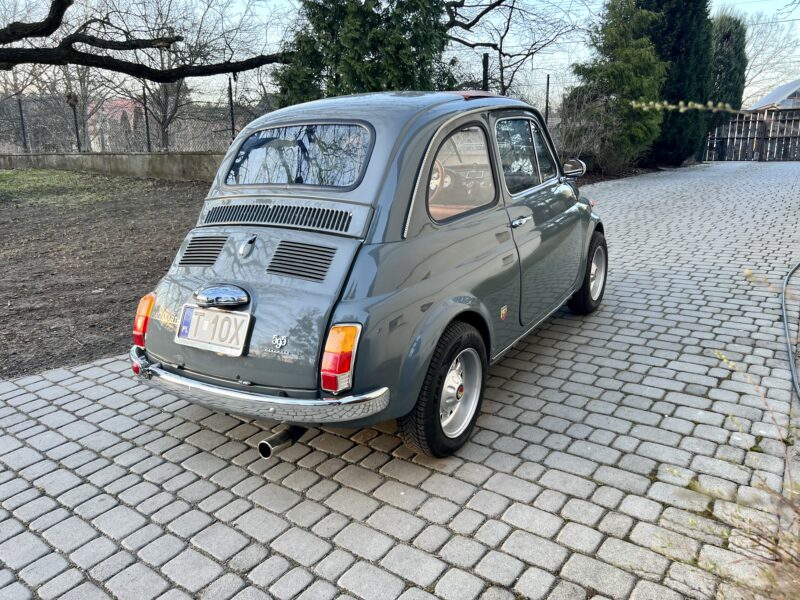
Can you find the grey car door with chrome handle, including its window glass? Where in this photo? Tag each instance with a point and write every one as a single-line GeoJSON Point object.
{"type": "Point", "coordinates": [544, 213]}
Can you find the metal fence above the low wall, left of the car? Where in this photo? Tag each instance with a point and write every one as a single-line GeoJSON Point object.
{"type": "Point", "coordinates": [43, 123]}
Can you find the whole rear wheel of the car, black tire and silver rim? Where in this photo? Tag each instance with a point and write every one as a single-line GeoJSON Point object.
{"type": "Point", "coordinates": [449, 402]}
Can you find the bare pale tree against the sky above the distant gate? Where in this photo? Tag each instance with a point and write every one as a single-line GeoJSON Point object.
{"type": "Point", "coordinates": [771, 42]}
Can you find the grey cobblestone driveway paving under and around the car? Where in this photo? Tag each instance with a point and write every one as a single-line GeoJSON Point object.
{"type": "Point", "coordinates": [615, 456]}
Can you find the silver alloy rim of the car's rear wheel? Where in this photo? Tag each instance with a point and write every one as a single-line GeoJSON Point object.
{"type": "Point", "coordinates": [460, 393]}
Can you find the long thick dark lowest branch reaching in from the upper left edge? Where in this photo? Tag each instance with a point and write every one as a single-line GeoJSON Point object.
{"type": "Point", "coordinates": [70, 56]}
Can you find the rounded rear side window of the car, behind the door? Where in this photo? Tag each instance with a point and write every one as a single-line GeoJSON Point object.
{"type": "Point", "coordinates": [461, 176]}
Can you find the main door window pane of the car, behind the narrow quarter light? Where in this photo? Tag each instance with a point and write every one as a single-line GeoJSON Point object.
{"type": "Point", "coordinates": [517, 154]}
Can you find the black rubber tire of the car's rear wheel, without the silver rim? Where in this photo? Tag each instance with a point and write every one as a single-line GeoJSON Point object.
{"type": "Point", "coordinates": [421, 429]}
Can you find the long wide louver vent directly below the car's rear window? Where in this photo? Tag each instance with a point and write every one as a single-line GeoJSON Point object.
{"type": "Point", "coordinates": [305, 217]}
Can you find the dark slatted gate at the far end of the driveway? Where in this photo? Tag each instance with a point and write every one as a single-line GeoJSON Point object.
{"type": "Point", "coordinates": [763, 135]}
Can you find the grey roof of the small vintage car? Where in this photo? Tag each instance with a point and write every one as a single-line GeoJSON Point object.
{"type": "Point", "coordinates": [385, 110]}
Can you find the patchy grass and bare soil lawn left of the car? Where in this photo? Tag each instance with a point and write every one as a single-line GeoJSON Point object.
{"type": "Point", "coordinates": [77, 251]}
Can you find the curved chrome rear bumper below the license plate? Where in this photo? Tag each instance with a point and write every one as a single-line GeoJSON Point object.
{"type": "Point", "coordinates": [276, 408]}
